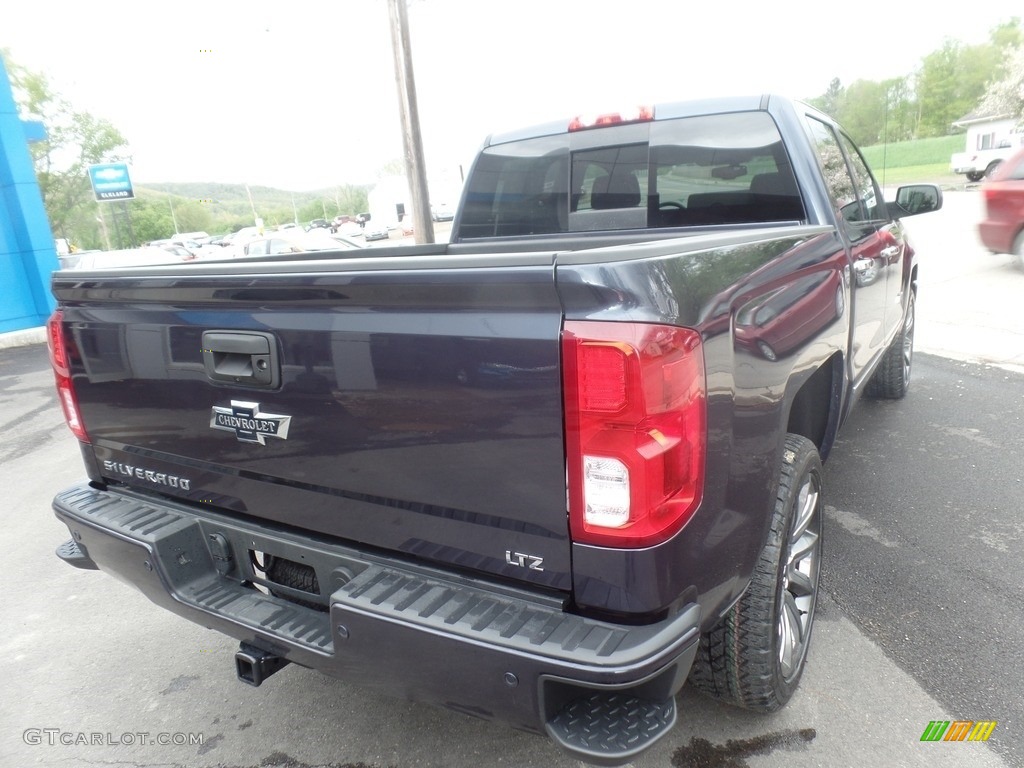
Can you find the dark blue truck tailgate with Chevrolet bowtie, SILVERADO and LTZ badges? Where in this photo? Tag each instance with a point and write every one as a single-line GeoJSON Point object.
{"type": "Point", "coordinates": [394, 404]}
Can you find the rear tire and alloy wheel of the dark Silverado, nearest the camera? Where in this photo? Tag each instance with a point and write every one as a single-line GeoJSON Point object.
{"type": "Point", "coordinates": [754, 658]}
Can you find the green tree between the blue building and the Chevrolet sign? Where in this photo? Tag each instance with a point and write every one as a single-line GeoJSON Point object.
{"type": "Point", "coordinates": [75, 141]}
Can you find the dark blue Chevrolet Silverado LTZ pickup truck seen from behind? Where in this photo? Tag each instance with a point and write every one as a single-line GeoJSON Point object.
{"type": "Point", "coordinates": [542, 475]}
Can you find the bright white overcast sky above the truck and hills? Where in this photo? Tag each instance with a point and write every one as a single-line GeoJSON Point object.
{"type": "Point", "coordinates": [302, 95]}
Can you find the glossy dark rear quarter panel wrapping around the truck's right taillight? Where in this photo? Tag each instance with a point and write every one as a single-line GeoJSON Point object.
{"type": "Point", "coordinates": [772, 311]}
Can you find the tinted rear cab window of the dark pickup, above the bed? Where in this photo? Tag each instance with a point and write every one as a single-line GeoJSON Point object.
{"type": "Point", "coordinates": [699, 172]}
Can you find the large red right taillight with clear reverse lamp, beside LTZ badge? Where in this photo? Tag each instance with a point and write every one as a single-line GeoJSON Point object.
{"type": "Point", "coordinates": [635, 431]}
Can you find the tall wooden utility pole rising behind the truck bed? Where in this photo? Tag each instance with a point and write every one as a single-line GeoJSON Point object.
{"type": "Point", "coordinates": [423, 226]}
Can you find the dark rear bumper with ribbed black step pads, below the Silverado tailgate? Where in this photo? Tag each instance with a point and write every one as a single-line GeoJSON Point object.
{"type": "Point", "coordinates": [481, 649]}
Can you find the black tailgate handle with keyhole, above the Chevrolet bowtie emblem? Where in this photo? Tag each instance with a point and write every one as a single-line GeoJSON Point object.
{"type": "Point", "coordinates": [247, 358]}
